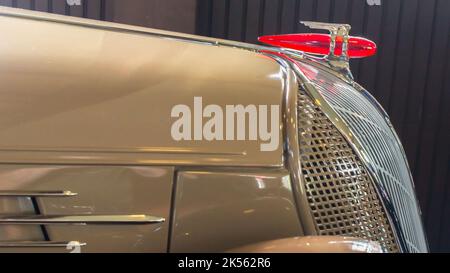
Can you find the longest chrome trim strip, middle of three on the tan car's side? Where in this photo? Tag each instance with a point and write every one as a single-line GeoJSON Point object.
{"type": "Point", "coordinates": [81, 219]}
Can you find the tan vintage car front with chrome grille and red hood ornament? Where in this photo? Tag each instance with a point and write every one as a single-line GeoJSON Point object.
{"type": "Point", "coordinates": [117, 138]}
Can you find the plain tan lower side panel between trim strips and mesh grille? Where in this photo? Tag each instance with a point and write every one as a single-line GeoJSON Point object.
{"type": "Point", "coordinates": [218, 210]}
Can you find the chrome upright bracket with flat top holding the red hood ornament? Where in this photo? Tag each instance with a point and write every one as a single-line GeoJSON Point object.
{"type": "Point", "coordinates": [337, 31]}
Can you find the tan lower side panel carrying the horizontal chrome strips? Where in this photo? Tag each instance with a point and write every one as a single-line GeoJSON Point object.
{"type": "Point", "coordinates": [101, 190]}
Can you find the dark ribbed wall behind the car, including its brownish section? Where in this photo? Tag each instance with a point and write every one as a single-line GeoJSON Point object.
{"type": "Point", "coordinates": [410, 75]}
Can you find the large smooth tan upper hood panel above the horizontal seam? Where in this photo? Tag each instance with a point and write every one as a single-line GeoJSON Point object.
{"type": "Point", "coordinates": [81, 93]}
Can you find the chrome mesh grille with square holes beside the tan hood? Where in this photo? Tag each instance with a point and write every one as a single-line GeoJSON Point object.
{"type": "Point", "coordinates": [341, 195]}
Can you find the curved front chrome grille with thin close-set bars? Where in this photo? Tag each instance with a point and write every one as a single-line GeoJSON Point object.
{"type": "Point", "coordinates": [381, 146]}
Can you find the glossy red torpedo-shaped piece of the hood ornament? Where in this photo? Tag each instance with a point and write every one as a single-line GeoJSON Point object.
{"type": "Point", "coordinates": [317, 43]}
